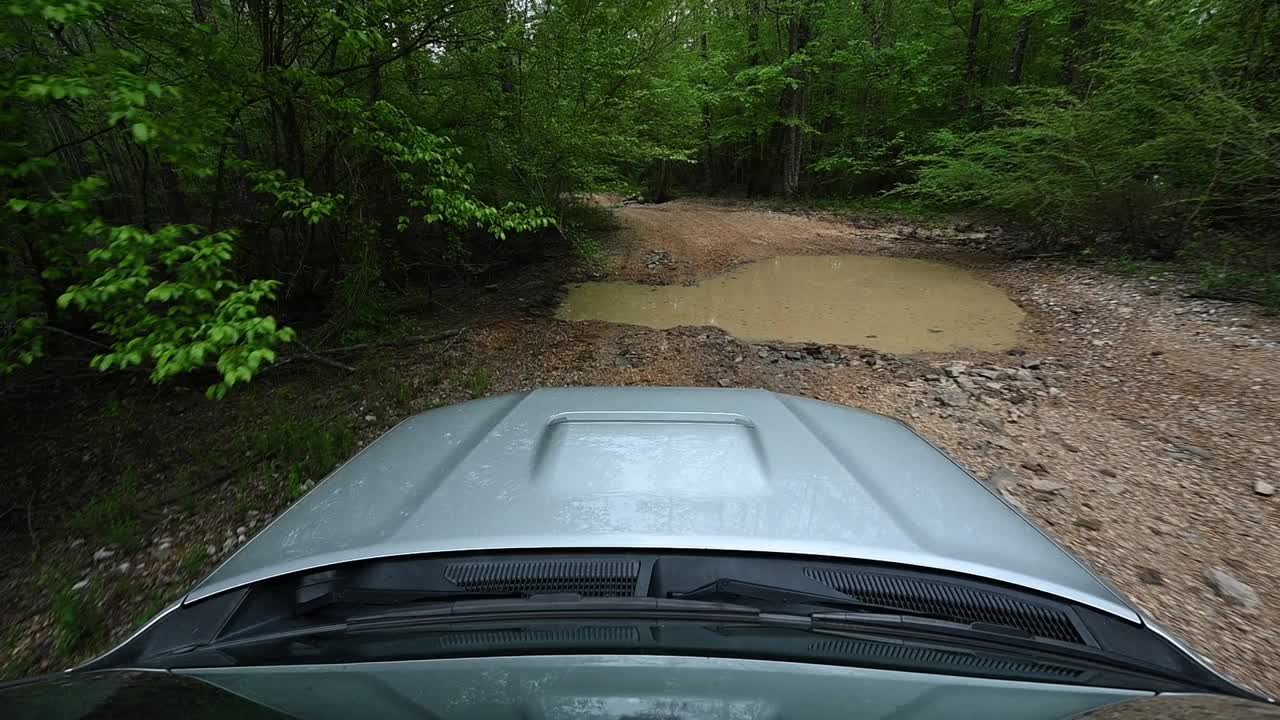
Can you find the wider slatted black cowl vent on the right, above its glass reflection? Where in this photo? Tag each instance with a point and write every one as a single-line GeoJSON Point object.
{"type": "Point", "coordinates": [950, 603]}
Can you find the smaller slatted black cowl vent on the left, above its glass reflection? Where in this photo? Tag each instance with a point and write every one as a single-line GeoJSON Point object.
{"type": "Point", "coordinates": [589, 578]}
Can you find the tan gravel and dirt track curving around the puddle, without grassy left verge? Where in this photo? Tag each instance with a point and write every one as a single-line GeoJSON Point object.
{"type": "Point", "coordinates": [1139, 429]}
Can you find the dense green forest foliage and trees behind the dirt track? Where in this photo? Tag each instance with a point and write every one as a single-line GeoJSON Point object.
{"type": "Point", "coordinates": [179, 174]}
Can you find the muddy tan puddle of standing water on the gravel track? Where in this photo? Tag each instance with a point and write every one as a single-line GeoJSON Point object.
{"type": "Point", "coordinates": [890, 304]}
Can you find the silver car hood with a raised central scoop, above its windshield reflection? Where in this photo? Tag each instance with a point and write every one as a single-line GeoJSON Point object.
{"type": "Point", "coordinates": [661, 470]}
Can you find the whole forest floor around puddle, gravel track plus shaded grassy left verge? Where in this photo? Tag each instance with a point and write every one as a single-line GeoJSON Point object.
{"type": "Point", "coordinates": [1135, 426]}
